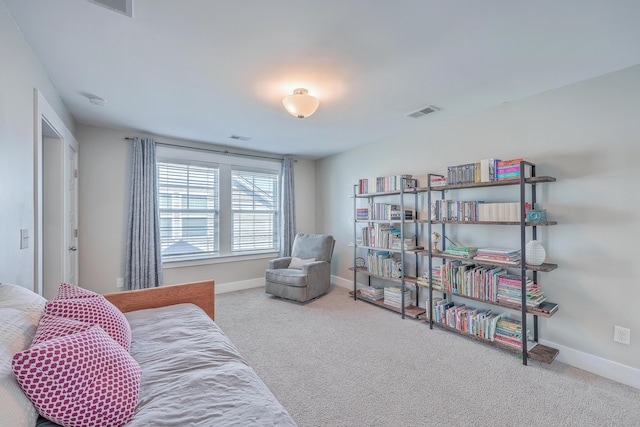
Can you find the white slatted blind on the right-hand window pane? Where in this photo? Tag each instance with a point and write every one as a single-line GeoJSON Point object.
{"type": "Point", "coordinates": [254, 200]}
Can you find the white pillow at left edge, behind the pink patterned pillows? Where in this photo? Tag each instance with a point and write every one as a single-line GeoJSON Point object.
{"type": "Point", "coordinates": [20, 312]}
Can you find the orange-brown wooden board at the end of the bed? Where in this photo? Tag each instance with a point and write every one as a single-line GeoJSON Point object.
{"type": "Point", "coordinates": [201, 294]}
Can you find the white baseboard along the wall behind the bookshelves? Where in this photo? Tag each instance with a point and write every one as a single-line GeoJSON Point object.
{"type": "Point", "coordinates": [581, 360]}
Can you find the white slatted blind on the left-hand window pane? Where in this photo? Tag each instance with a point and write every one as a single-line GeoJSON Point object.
{"type": "Point", "coordinates": [188, 209]}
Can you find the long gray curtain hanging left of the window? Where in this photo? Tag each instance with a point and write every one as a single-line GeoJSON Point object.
{"type": "Point", "coordinates": [143, 263]}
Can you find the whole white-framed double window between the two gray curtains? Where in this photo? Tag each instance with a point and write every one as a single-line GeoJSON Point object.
{"type": "Point", "coordinates": [210, 208]}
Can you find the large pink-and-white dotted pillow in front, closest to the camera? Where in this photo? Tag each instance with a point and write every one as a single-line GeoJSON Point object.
{"type": "Point", "coordinates": [82, 379]}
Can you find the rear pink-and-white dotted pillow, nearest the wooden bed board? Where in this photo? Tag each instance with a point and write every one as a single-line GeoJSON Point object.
{"type": "Point", "coordinates": [94, 310]}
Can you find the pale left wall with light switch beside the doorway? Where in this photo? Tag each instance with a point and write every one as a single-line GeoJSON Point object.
{"type": "Point", "coordinates": [20, 73]}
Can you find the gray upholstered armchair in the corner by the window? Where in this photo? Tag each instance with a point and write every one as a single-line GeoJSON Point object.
{"type": "Point", "coordinates": [300, 281]}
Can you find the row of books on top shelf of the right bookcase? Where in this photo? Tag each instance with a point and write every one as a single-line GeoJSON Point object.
{"type": "Point", "coordinates": [485, 170]}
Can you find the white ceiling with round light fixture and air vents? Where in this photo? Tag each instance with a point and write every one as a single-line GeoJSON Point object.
{"type": "Point", "coordinates": [203, 70]}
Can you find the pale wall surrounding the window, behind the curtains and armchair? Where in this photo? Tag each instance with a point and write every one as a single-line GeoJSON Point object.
{"type": "Point", "coordinates": [104, 172]}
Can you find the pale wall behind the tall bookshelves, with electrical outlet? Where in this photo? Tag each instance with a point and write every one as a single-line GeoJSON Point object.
{"type": "Point", "coordinates": [587, 135]}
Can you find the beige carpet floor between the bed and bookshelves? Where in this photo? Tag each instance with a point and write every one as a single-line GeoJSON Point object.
{"type": "Point", "coordinates": [340, 362]}
